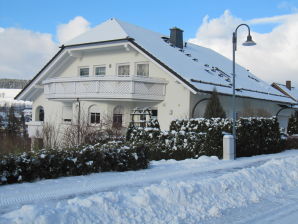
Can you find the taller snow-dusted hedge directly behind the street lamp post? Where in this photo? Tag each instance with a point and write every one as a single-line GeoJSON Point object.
{"type": "Point", "coordinates": [196, 137]}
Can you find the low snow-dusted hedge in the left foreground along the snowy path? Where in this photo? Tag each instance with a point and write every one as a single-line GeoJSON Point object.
{"type": "Point", "coordinates": [47, 164]}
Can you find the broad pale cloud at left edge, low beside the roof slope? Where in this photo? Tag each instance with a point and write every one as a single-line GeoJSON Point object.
{"type": "Point", "coordinates": [24, 52]}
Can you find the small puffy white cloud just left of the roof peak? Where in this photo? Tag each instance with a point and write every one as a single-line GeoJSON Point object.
{"type": "Point", "coordinates": [73, 28]}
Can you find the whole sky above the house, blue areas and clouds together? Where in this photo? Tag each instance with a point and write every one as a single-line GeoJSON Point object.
{"type": "Point", "coordinates": [31, 31]}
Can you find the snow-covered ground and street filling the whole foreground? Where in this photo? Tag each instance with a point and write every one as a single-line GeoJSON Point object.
{"type": "Point", "coordinates": [260, 189]}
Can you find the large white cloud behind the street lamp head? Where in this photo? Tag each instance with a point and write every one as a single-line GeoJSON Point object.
{"type": "Point", "coordinates": [273, 59]}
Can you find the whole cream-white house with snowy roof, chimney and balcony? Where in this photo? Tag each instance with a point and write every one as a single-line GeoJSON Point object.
{"type": "Point", "coordinates": [116, 67]}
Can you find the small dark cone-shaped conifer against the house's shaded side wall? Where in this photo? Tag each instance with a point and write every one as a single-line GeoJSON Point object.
{"type": "Point", "coordinates": [214, 108]}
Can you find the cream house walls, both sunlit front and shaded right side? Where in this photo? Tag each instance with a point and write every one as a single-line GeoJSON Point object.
{"type": "Point", "coordinates": [178, 102]}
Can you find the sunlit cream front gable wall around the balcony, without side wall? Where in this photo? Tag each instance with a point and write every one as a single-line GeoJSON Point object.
{"type": "Point", "coordinates": [175, 103]}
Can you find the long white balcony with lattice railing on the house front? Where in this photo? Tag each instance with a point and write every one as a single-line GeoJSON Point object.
{"type": "Point", "coordinates": [107, 87]}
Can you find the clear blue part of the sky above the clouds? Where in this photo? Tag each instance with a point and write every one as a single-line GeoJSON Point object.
{"type": "Point", "coordinates": [44, 16]}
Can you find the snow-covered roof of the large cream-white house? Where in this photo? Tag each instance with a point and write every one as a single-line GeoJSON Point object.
{"type": "Point", "coordinates": [201, 67]}
